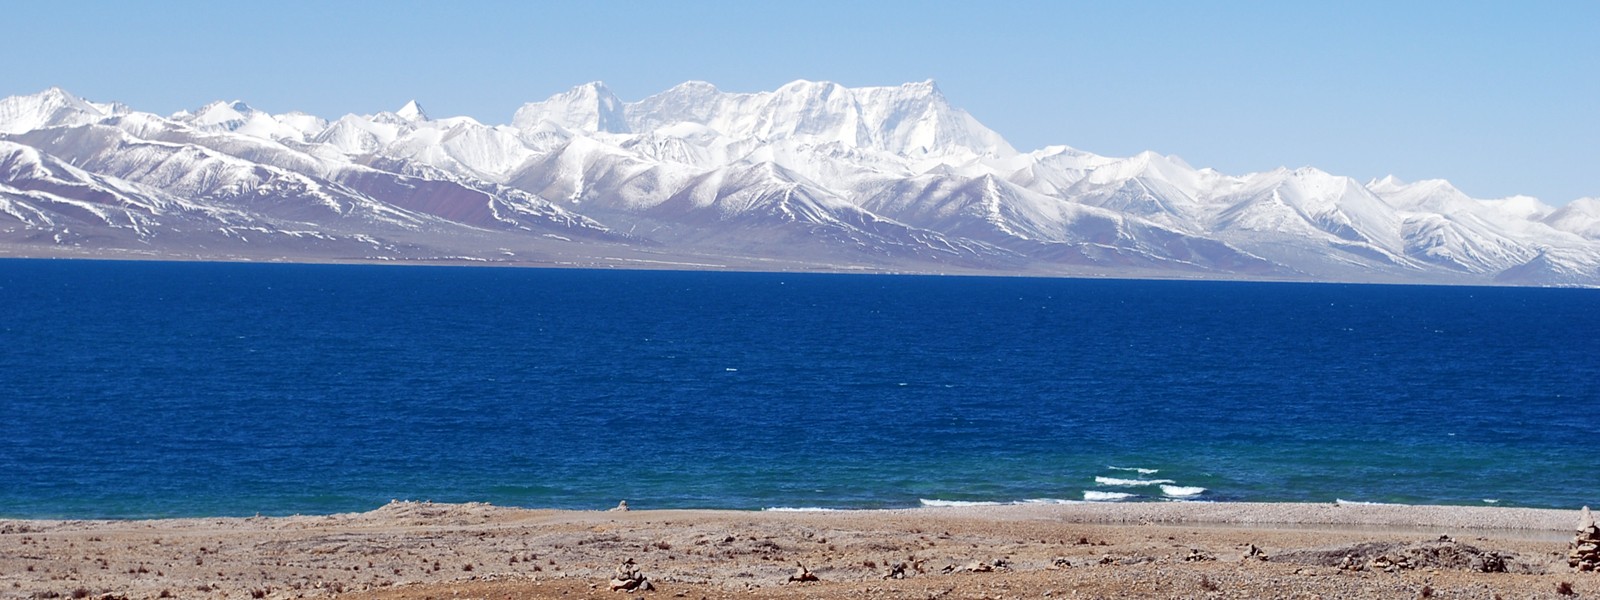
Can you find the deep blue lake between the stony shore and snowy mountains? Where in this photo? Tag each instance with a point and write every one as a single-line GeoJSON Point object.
{"type": "Point", "coordinates": [145, 390]}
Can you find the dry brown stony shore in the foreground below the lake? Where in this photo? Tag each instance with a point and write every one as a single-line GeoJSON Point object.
{"type": "Point", "coordinates": [1090, 551]}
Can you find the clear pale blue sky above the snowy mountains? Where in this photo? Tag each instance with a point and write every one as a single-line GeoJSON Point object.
{"type": "Point", "coordinates": [1502, 98]}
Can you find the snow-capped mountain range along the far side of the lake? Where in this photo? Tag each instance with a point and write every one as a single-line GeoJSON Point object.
{"type": "Point", "coordinates": [810, 177]}
